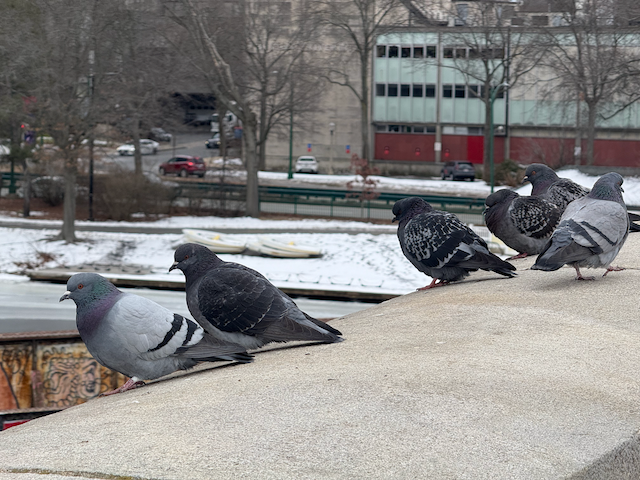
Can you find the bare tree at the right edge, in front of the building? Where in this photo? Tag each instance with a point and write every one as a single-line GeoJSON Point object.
{"type": "Point", "coordinates": [594, 59]}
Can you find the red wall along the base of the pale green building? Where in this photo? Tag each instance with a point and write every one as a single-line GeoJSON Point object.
{"type": "Point", "coordinates": [552, 151]}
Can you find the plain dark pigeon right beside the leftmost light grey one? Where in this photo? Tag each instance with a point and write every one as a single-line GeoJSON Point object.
{"type": "Point", "coordinates": [237, 304]}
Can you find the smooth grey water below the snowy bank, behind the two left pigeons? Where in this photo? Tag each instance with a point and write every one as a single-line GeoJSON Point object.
{"type": "Point", "coordinates": [35, 306]}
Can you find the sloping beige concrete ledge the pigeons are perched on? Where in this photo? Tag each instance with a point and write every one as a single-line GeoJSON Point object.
{"type": "Point", "coordinates": [491, 378]}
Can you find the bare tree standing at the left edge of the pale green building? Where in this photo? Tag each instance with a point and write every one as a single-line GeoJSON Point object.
{"type": "Point", "coordinates": [359, 22]}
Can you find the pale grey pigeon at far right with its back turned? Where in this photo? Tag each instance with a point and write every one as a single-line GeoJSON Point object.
{"type": "Point", "coordinates": [591, 232]}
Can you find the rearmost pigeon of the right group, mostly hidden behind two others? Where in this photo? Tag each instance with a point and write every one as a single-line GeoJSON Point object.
{"type": "Point", "coordinates": [561, 191]}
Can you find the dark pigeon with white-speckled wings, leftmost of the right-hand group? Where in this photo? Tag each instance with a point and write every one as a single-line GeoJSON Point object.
{"type": "Point", "coordinates": [440, 245]}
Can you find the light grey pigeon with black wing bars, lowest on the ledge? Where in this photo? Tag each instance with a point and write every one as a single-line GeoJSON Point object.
{"type": "Point", "coordinates": [136, 336]}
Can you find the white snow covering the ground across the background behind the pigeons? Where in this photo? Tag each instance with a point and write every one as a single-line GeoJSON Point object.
{"type": "Point", "coordinates": [358, 262]}
